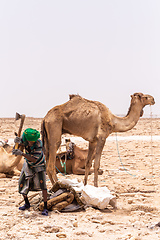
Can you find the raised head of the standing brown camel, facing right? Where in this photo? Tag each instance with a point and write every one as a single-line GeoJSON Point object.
{"type": "Point", "coordinates": [141, 100]}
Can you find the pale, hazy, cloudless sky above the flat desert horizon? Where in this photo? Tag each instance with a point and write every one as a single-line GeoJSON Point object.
{"type": "Point", "coordinates": [104, 50]}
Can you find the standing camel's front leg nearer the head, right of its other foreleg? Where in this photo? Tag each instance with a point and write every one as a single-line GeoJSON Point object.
{"type": "Point", "coordinates": [99, 148]}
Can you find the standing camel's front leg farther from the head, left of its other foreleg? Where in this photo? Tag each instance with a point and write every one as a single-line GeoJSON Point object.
{"type": "Point", "coordinates": [89, 159]}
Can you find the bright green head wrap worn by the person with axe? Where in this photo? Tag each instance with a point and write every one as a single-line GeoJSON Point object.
{"type": "Point", "coordinates": [30, 135]}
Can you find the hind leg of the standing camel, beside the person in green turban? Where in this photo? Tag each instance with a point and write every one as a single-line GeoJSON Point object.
{"type": "Point", "coordinates": [54, 131]}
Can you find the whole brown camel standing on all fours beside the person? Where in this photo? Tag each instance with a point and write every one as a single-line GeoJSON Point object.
{"type": "Point", "coordinates": [90, 120]}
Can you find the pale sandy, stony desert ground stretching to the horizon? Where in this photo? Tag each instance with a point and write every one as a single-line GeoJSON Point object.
{"type": "Point", "coordinates": [131, 173]}
